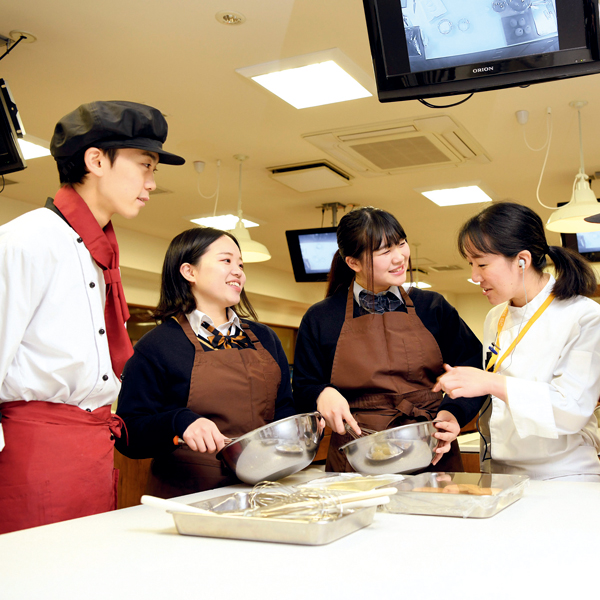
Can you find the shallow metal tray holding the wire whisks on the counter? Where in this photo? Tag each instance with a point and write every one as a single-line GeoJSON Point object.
{"type": "Point", "coordinates": [257, 529]}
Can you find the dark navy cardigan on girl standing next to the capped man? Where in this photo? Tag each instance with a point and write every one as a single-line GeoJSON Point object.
{"type": "Point", "coordinates": [156, 385]}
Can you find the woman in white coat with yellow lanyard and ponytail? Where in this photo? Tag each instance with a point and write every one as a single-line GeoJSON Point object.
{"type": "Point", "coordinates": [541, 347]}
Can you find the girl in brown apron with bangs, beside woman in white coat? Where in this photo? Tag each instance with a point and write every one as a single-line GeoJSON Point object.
{"type": "Point", "coordinates": [373, 363]}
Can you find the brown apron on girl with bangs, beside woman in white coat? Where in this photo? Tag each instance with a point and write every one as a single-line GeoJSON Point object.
{"type": "Point", "coordinates": [385, 366]}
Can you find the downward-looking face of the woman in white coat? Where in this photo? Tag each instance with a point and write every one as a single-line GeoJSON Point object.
{"type": "Point", "coordinates": [500, 278]}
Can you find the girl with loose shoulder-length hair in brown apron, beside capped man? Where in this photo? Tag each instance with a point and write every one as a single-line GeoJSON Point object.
{"type": "Point", "coordinates": [191, 379]}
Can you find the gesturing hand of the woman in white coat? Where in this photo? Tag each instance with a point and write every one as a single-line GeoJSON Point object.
{"type": "Point", "coordinates": [469, 382]}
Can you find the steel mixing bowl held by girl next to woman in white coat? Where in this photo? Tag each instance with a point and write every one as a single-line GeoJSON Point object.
{"type": "Point", "coordinates": [402, 449]}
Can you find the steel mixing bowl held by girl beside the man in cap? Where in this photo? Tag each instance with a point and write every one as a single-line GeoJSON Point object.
{"type": "Point", "coordinates": [275, 450]}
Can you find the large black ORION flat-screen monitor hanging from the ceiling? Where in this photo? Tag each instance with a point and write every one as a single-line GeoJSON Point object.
{"type": "Point", "coordinates": [431, 48]}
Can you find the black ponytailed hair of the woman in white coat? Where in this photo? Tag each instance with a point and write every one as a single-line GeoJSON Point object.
{"type": "Point", "coordinates": [507, 228]}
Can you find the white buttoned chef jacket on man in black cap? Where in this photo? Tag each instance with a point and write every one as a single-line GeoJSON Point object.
{"type": "Point", "coordinates": [53, 344]}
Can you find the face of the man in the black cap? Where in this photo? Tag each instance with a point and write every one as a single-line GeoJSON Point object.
{"type": "Point", "coordinates": [124, 186]}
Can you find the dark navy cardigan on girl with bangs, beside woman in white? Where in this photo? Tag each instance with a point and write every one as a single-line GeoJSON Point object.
{"type": "Point", "coordinates": [320, 330]}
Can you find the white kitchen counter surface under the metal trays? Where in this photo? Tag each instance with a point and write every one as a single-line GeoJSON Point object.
{"type": "Point", "coordinates": [544, 545]}
